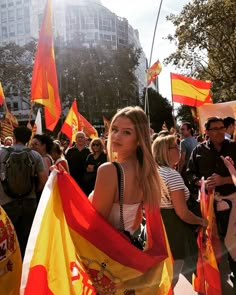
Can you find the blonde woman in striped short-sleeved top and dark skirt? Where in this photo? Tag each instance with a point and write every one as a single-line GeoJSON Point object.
{"type": "Point", "coordinates": [175, 213]}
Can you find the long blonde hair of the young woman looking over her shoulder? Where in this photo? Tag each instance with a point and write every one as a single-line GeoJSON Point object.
{"type": "Point", "coordinates": [147, 175]}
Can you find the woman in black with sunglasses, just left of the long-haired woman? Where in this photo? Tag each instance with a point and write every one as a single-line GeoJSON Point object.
{"type": "Point", "coordinates": [93, 161]}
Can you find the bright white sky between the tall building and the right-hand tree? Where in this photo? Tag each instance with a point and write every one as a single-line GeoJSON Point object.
{"type": "Point", "coordinates": [142, 15]}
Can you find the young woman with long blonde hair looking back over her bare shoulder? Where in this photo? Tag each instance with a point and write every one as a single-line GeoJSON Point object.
{"type": "Point", "coordinates": [129, 139]}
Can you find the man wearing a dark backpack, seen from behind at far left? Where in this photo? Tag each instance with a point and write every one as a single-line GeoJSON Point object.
{"type": "Point", "coordinates": [20, 206]}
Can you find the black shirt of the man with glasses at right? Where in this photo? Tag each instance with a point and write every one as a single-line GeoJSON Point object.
{"type": "Point", "coordinates": [205, 160]}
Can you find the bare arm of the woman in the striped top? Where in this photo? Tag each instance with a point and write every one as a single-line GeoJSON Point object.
{"type": "Point", "coordinates": [181, 209]}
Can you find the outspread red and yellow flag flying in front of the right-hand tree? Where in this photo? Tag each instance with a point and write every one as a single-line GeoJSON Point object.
{"type": "Point", "coordinates": [190, 91]}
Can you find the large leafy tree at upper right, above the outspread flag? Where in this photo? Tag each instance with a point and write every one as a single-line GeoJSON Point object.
{"type": "Point", "coordinates": [205, 36]}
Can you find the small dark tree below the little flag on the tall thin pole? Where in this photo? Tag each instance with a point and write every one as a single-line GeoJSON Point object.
{"type": "Point", "coordinates": [160, 110]}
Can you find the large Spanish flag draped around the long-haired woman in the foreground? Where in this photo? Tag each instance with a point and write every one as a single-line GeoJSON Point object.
{"type": "Point", "coordinates": [73, 250]}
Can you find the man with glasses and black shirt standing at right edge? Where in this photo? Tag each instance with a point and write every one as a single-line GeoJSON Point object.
{"type": "Point", "coordinates": [206, 162]}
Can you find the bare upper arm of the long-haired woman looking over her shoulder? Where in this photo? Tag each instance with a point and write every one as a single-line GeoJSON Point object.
{"type": "Point", "coordinates": [105, 190]}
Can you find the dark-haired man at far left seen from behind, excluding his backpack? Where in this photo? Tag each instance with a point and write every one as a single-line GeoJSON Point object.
{"type": "Point", "coordinates": [21, 210]}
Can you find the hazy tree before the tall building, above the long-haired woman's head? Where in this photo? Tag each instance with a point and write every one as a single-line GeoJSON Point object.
{"type": "Point", "coordinates": [101, 79]}
